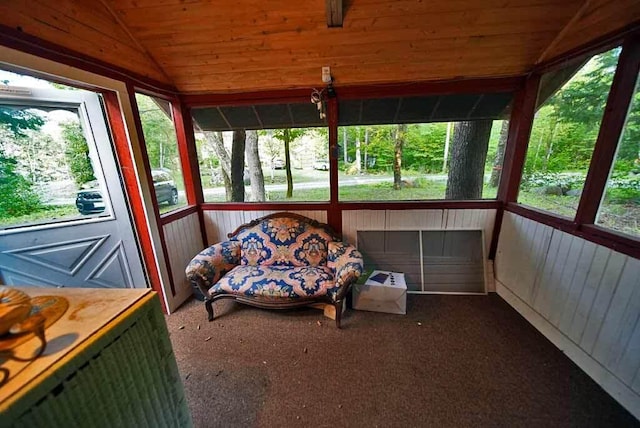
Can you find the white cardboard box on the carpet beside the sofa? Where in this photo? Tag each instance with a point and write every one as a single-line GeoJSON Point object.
{"type": "Point", "coordinates": [382, 292]}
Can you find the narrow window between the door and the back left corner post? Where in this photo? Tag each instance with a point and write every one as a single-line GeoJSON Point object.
{"type": "Point", "coordinates": [162, 149]}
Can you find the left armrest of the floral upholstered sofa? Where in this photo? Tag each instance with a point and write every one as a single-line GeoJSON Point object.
{"type": "Point", "coordinates": [206, 268]}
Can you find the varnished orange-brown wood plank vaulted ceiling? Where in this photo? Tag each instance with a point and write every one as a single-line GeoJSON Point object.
{"type": "Point", "coordinates": [214, 46]}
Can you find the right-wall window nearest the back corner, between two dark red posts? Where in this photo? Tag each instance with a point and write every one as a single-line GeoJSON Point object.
{"type": "Point", "coordinates": [571, 104]}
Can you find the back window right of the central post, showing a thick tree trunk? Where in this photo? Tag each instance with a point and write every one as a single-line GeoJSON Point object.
{"type": "Point", "coordinates": [422, 148]}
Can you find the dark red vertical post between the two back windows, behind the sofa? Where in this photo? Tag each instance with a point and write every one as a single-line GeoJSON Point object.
{"type": "Point", "coordinates": [334, 215]}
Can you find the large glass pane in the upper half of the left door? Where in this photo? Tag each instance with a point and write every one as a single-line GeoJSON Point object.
{"type": "Point", "coordinates": [49, 167]}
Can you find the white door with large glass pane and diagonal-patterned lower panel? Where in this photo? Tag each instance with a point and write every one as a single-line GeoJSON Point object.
{"type": "Point", "coordinates": [84, 237]}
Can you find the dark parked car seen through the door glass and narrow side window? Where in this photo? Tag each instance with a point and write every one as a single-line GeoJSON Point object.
{"type": "Point", "coordinates": [90, 201]}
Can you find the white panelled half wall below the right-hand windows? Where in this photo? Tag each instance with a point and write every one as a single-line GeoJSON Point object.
{"type": "Point", "coordinates": [583, 297]}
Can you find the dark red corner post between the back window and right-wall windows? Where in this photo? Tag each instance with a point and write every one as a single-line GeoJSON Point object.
{"type": "Point", "coordinates": [518, 141]}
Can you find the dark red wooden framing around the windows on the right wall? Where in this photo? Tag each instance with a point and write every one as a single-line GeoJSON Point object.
{"type": "Point", "coordinates": [611, 128]}
